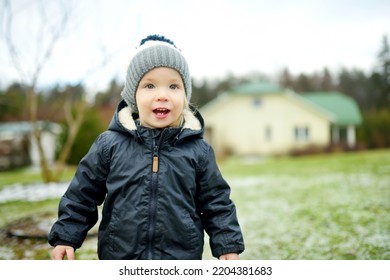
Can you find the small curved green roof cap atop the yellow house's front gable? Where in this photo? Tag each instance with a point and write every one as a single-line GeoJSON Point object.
{"type": "Point", "coordinates": [257, 87]}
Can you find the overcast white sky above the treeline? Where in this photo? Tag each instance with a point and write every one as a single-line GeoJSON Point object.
{"type": "Point", "coordinates": [215, 36]}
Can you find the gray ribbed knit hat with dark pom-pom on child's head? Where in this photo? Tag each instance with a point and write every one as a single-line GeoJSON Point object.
{"type": "Point", "coordinates": [154, 51]}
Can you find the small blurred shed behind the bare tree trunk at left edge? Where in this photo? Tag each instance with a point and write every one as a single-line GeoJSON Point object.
{"type": "Point", "coordinates": [18, 147]}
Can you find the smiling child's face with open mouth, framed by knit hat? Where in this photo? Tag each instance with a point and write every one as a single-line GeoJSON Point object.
{"type": "Point", "coordinates": [160, 98]}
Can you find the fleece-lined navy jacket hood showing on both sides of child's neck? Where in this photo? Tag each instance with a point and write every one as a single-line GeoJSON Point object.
{"type": "Point", "coordinates": [124, 121]}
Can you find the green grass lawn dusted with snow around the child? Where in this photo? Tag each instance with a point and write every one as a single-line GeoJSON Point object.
{"type": "Point", "coordinates": [334, 206]}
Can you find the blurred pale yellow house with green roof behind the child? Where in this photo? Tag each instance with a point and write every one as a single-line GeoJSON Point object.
{"type": "Point", "coordinates": [261, 118]}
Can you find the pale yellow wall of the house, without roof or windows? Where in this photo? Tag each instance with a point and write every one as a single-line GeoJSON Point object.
{"type": "Point", "coordinates": [238, 125]}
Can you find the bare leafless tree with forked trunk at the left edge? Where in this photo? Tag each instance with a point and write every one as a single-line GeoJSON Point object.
{"type": "Point", "coordinates": [53, 32]}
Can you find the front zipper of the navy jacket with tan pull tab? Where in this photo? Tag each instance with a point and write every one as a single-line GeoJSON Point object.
{"type": "Point", "coordinates": [153, 202]}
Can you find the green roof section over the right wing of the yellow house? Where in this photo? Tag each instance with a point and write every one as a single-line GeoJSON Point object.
{"type": "Point", "coordinates": [343, 107]}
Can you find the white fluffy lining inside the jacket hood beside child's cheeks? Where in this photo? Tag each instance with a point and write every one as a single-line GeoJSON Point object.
{"type": "Point", "coordinates": [126, 119]}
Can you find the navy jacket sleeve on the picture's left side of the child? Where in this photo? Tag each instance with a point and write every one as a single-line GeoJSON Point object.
{"type": "Point", "coordinates": [77, 212]}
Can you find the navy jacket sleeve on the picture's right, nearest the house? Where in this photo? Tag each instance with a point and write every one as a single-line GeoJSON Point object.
{"type": "Point", "coordinates": [218, 211]}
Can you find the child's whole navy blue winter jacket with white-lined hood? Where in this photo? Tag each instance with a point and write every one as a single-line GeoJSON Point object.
{"type": "Point", "coordinates": [160, 191]}
